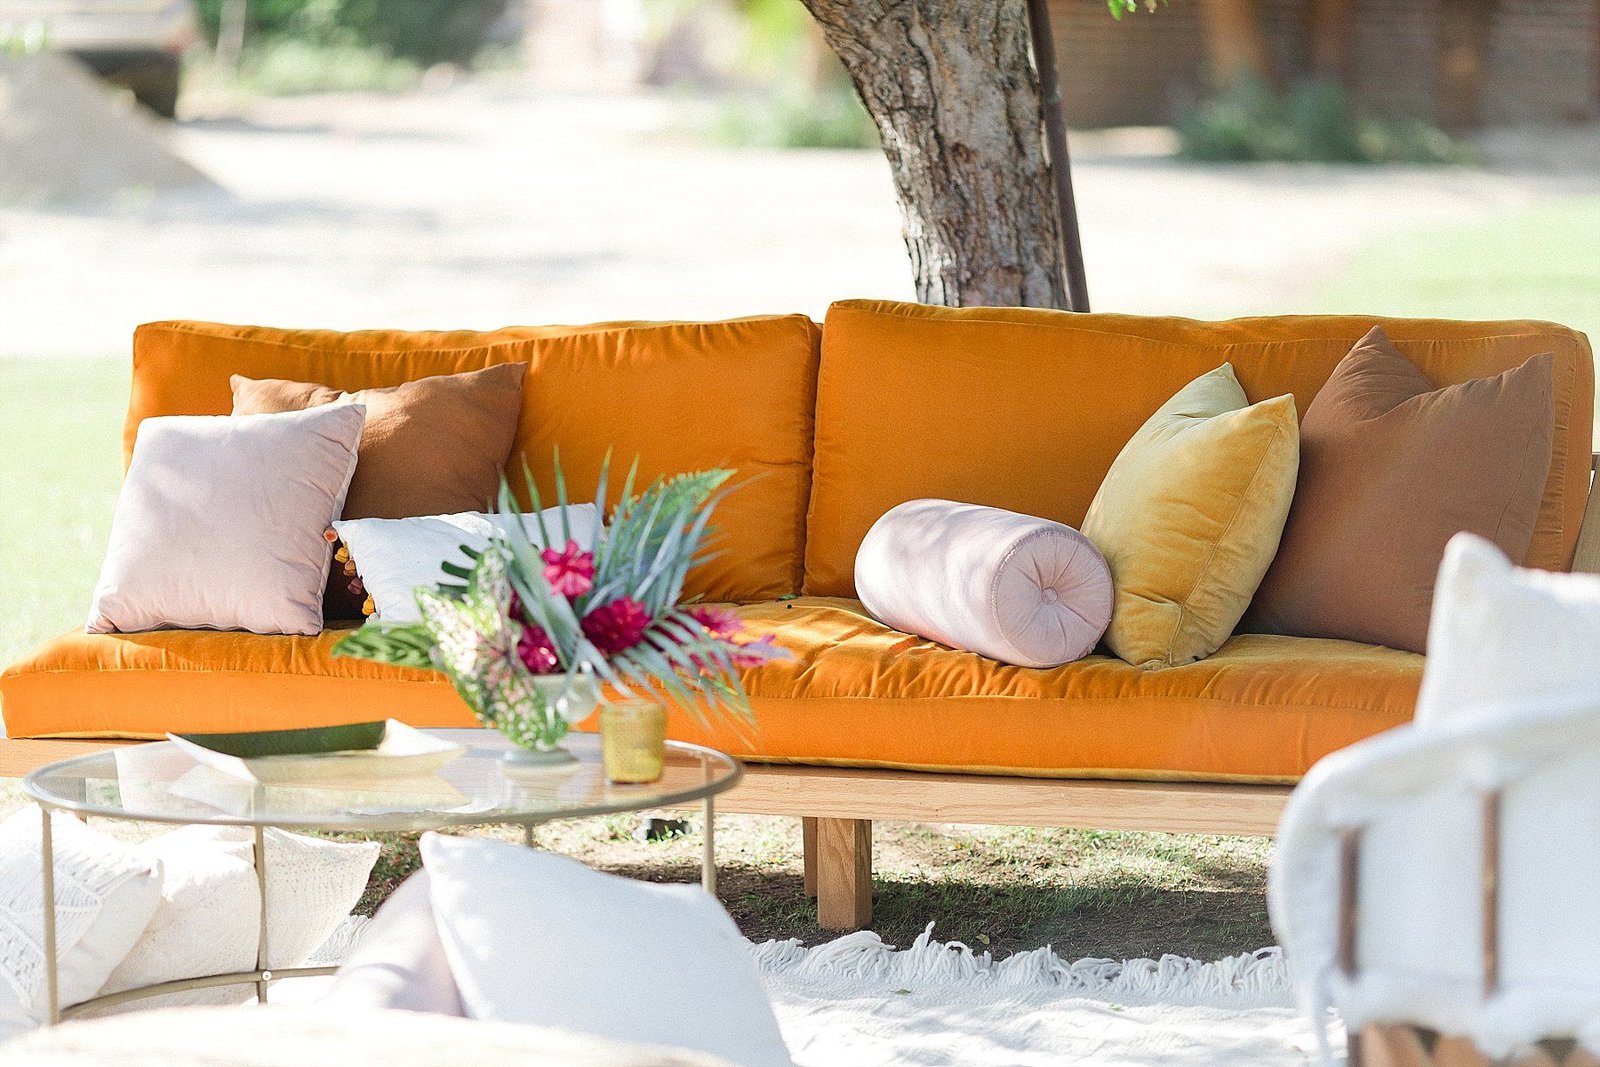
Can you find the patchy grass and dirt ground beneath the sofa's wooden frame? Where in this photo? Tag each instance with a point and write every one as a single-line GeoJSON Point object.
{"type": "Point", "coordinates": [996, 889]}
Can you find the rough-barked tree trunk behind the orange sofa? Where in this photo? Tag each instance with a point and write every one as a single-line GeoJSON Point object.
{"type": "Point", "coordinates": [958, 105]}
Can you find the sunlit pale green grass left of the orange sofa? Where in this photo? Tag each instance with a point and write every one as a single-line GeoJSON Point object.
{"type": "Point", "coordinates": [60, 466]}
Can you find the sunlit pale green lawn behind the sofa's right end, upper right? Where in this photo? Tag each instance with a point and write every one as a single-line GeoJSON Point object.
{"type": "Point", "coordinates": [1543, 263]}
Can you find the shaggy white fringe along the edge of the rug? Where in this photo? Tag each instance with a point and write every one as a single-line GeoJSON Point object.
{"type": "Point", "coordinates": [1252, 977]}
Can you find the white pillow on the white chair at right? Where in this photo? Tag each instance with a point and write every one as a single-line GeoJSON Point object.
{"type": "Point", "coordinates": [1505, 641]}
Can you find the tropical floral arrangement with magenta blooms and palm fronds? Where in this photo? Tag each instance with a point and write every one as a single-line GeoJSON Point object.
{"type": "Point", "coordinates": [537, 628]}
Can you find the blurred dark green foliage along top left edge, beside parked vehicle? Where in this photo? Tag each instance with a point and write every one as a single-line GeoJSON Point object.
{"type": "Point", "coordinates": [418, 31]}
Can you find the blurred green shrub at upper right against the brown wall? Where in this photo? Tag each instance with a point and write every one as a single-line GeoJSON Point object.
{"type": "Point", "coordinates": [1311, 122]}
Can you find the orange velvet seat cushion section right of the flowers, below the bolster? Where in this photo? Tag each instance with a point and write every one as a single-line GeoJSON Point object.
{"type": "Point", "coordinates": [863, 695]}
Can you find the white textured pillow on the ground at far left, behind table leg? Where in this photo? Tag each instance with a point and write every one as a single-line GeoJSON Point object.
{"type": "Point", "coordinates": [106, 893]}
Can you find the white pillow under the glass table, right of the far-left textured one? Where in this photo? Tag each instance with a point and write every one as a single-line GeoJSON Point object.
{"type": "Point", "coordinates": [210, 909]}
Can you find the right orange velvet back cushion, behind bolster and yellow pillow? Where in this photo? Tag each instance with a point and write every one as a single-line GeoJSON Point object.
{"type": "Point", "coordinates": [1026, 409]}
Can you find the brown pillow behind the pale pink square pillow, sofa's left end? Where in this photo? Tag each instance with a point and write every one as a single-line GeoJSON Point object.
{"type": "Point", "coordinates": [431, 447]}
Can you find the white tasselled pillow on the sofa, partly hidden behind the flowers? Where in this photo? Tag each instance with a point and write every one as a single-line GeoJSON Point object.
{"type": "Point", "coordinates": [396, 556]}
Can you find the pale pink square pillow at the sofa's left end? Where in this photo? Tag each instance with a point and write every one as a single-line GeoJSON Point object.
{"type": "Point", "coordinates": [222, 519]}
